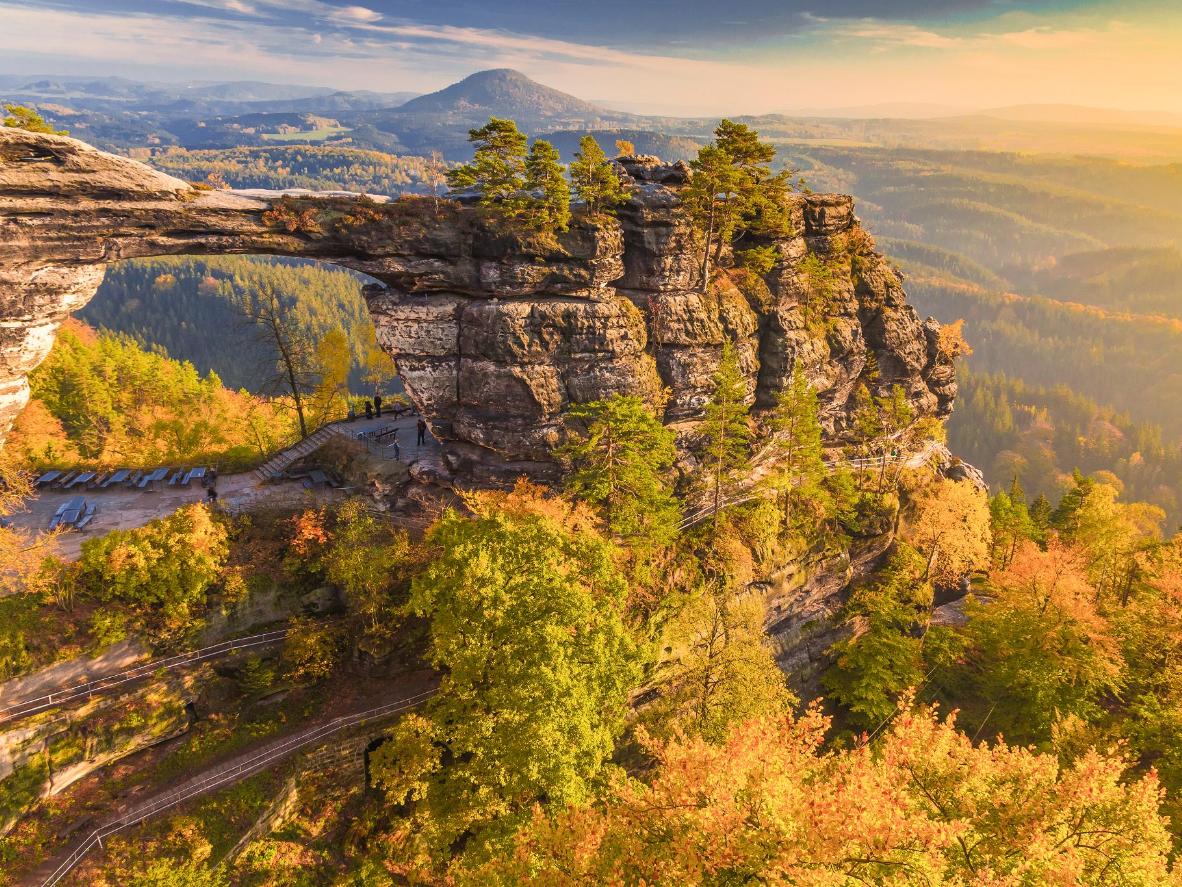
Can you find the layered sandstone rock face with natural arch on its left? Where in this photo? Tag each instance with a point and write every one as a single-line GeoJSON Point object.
{"type": "Point", "coordinates": [495, 333]}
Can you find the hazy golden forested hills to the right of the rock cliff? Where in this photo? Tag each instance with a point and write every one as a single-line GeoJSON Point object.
{"type": "Point", "coordinates": [1067, 273]}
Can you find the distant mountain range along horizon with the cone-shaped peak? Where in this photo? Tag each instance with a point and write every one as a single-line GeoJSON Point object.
{"type": "Point", "coordinates": [119, 114]}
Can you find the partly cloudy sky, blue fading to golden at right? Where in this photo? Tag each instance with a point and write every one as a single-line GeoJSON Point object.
{"type": "Point", "coordinates": [686, 57]}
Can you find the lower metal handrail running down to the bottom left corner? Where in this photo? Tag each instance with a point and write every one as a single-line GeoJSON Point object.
{"type": "Point", "coordinates": [220, 778]}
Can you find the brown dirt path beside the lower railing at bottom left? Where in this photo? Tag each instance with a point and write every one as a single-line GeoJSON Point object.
{"type": "Point", "coordinates": [410, 692]}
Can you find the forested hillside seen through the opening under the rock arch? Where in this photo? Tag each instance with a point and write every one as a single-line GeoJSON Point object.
{"type": "Point", "coordinates": [187, 307]}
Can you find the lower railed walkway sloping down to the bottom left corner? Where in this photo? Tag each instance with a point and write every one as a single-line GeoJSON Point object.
{"type": "Point", "coordinates": [218, 778]}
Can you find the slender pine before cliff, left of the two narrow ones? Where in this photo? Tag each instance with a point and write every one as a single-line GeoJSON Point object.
{"type": "Point", "coordinates": [726, 428]}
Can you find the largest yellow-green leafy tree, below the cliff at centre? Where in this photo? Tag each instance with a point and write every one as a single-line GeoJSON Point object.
{"type": "Point", "coordinates": [524, 608]}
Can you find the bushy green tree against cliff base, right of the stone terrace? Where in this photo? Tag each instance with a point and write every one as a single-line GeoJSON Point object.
{"type": "Point", "coordinates": [621, 461]}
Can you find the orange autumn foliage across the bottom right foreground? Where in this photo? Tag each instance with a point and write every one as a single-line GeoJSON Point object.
{"type": "Point", "coordinates": [926, 806]}
